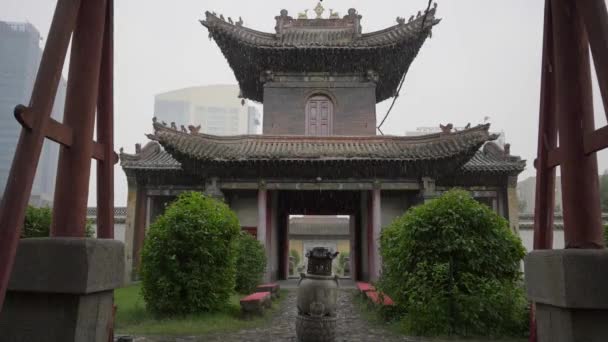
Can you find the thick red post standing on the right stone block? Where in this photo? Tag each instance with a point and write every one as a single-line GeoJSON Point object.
{"type": "Point", "coordinates": [574, 109]}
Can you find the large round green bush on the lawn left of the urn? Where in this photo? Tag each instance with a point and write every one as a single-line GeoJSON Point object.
{"type": "Point", "coordinates": [188, 257]}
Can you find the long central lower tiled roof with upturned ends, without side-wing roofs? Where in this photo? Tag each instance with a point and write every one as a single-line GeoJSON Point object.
{"type": "Point", "coordinates": [260, 148]}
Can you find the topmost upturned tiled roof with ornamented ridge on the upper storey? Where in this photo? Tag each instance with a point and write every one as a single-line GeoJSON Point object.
{"type": "Point", "coordinates": [334, 45]}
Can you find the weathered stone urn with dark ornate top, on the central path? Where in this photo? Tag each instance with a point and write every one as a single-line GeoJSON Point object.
{"type": "Point", "coordinates": [317, 298]}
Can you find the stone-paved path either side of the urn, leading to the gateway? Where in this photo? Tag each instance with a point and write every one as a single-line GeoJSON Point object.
{"type": "Point", "coordinates": [351, 326]}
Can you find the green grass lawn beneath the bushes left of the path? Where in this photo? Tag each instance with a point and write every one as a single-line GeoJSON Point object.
{"type": "Point", "coordinates": [132, 318]}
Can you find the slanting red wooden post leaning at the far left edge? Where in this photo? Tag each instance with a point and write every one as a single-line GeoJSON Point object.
{"type": "Point", "coordinates": [27, 153]}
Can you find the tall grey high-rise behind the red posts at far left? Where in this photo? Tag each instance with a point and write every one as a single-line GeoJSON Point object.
{"type": "Point", "coordinates": [20, 55]}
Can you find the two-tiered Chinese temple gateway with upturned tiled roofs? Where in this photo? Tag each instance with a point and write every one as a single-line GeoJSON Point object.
{"type": "Point", "coordinates": [319, 80]}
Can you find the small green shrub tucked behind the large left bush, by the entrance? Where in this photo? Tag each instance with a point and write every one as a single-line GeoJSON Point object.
{"type": "Point", "coordinates": [250, 263]}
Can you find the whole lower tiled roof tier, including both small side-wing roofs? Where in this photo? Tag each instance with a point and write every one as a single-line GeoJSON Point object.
{"type": "Point", "coordinates": [175, 151]}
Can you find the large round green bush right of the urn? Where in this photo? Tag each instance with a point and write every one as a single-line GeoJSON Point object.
{"type": "Point", "coordinates": [453, 267]}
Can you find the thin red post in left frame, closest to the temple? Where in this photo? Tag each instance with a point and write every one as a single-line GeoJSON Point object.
{"type": "Point", "coordinates": [105, 132]}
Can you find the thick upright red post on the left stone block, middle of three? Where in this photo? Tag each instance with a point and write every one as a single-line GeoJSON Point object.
{"type": "Point", "coordinates": [72, 188]}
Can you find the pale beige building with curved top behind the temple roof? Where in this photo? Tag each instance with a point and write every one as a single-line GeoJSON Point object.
{"type": "Point", "coordinates": [217, 108]}
